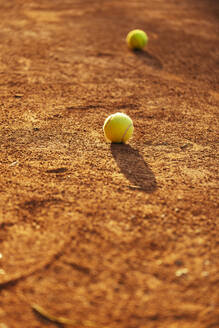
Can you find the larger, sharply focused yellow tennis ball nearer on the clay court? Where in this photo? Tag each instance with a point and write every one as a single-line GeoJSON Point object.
{"type": "Point", "coordinates": [118, 128]}
